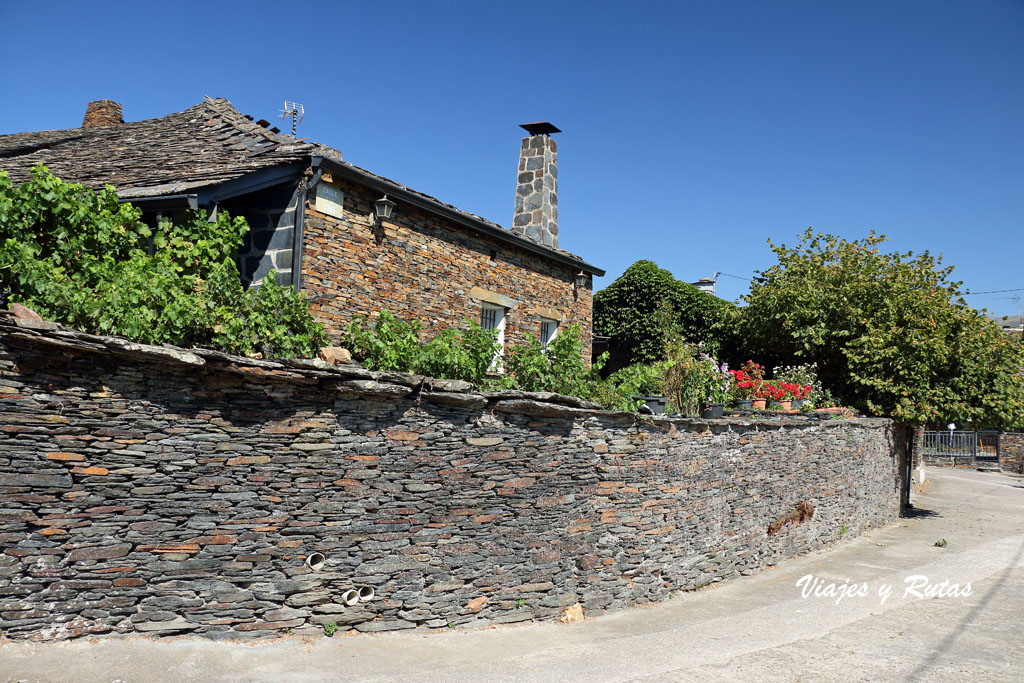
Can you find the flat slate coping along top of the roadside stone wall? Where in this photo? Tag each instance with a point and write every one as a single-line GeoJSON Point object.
{"type": "Point", "coordinates": [354, 379]}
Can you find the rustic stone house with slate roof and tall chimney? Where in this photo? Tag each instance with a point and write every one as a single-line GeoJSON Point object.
{"type": "Point", "coordinates": [354, 242]}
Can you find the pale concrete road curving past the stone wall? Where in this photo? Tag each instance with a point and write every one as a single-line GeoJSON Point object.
{"type": "Point", "coordinates": [758, 628]}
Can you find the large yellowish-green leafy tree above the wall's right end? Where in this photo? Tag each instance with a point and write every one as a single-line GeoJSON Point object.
{"type": "Point", "coordinates": [890, 333]}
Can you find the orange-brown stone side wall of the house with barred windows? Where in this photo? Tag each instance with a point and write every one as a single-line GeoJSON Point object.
{"type": "Point", "coordinates": [418, 267]}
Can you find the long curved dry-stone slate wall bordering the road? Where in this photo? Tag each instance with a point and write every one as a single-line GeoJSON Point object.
{"type": "Point", "coordinates": [158, 491]}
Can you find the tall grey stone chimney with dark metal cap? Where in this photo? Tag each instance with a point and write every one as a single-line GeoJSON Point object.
{"type": "Point", "coordinates": [537, 192]}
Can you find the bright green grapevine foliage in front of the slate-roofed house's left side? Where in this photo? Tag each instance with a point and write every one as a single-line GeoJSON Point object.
{"type": "Point", "coordinates": [87, 261]}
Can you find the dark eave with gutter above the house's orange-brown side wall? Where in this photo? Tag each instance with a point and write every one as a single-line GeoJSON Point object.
{"type": "Point", "coordinates": [454, 216]}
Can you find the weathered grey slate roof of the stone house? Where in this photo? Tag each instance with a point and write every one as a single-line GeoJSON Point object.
{"type": "Point", "coordinates": [205, 146]}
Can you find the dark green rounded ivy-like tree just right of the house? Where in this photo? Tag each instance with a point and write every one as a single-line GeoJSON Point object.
{"type": "Point", "coordinates": [647, 306]}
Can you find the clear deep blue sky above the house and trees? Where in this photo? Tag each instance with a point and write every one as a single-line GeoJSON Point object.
{"type": "Point", "coordinates": [694, 132]}
